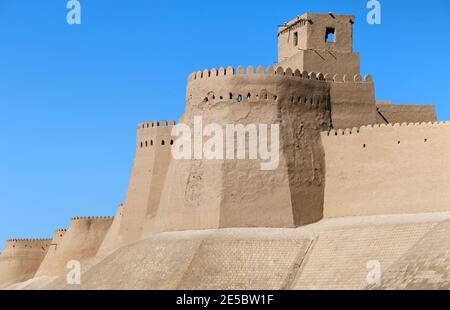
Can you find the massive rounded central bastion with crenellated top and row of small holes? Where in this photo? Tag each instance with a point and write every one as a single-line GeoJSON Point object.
{"type": "Point", "coordinates": [204, 194]}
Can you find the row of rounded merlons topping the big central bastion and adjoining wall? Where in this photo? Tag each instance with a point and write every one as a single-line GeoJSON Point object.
{"type": "Point", "coordinates": [278, 71]}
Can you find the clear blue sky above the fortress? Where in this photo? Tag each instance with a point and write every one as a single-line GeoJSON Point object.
{"type": "Point", "coordinates": [71, 96]}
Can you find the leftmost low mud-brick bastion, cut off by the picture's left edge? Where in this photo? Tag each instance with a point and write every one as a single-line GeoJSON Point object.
{"type": "Point", "coordinates": [20, 259]}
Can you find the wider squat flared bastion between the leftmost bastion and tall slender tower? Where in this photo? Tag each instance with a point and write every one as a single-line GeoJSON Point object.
{"type": "Point", "coordinates": [81, 241]}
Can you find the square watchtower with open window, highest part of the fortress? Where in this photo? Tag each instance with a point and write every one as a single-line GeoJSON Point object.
{"type": "Point", "coordinates": [318, 43]}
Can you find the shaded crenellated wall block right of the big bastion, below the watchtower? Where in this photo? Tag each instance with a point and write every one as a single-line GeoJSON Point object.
{"type": "Point", "coordinates": [352, 102]}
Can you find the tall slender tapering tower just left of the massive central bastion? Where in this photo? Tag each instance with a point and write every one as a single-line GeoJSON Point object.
{"type": "Point", "coordinates": [153, 155]}
